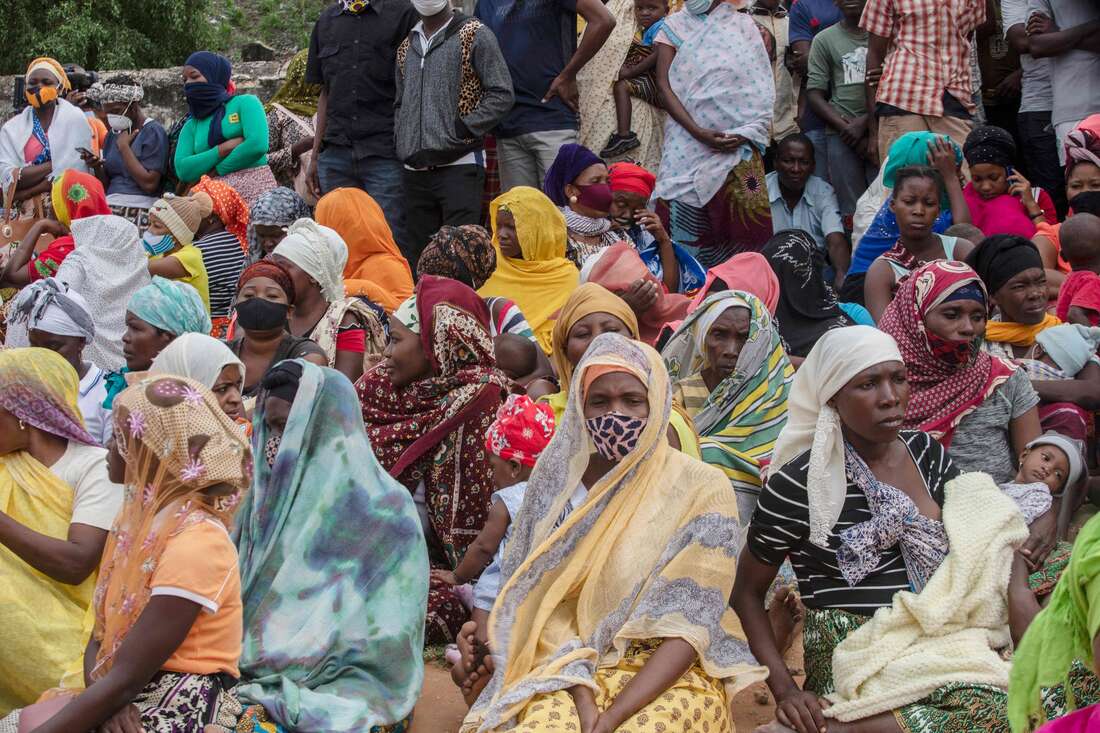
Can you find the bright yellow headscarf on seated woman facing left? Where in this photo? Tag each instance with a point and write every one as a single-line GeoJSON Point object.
{"type": "Point", "coordinates": [544, 279]}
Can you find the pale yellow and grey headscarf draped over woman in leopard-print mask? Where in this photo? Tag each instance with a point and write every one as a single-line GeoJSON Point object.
{"type": "Point", "coordinates": [659, 526]}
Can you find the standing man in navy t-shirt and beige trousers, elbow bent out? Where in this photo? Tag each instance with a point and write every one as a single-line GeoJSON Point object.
{"type": "Point", "coordinates": [538, 39]}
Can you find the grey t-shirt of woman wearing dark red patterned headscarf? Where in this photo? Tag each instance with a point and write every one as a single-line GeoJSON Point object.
{"type": "Point", "coordinates": [982, 442]}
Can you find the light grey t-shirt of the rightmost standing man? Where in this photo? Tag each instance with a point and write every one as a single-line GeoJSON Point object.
{"type": "Point", "coordinates": [1075, 75]}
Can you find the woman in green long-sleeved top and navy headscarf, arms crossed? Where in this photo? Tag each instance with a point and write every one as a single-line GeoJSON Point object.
{"type": "Point", "coordinates": [226, 136]}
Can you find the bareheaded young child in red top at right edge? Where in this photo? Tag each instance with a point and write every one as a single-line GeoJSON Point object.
{"type": "Point", "coordinates": [1080, 299]}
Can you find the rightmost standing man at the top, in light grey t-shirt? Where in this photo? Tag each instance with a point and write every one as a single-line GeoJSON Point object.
{"type": "Point", "coordinates": [1069, 34]}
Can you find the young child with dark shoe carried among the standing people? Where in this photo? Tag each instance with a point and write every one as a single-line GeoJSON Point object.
{"type": "Point", "coordinates": [636, 78]}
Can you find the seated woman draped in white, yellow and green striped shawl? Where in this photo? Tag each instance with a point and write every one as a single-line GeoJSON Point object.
{"type": "Point", "coordinates": [732, 377]}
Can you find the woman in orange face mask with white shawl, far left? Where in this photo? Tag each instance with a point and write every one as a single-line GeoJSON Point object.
{"type": "Point", "coordinates": [47, 137]}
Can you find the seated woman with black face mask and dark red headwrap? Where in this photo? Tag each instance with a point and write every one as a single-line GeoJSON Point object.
{"type": "Point", "coordinates": [265, 298]}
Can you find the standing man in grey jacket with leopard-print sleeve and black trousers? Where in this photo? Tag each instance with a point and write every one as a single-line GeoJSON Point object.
{"type": "Point", "coordinates": [453, 89]}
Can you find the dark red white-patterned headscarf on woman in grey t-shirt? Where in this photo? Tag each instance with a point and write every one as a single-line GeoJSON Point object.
{"type": "Point", "coordinates": [943, 391]}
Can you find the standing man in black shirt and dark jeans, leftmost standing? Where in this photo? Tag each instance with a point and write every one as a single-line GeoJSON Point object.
{"type": "Point", "coordinates": [351, 56]}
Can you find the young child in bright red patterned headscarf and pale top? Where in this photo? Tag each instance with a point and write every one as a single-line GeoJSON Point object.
{"type": "Point", "coordinates": [518, 437]}
